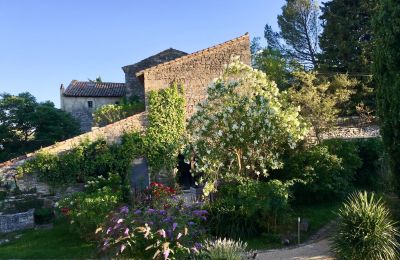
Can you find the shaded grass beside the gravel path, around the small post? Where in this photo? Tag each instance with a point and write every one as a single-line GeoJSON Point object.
{"type": "Point", "coordinates": [317, 215]}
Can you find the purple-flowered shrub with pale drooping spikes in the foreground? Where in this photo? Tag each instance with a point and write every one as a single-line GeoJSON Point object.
{"type": "Point", "coordinates": [154, 233]}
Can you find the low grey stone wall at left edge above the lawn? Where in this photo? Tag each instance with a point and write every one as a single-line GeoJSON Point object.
{"type": "Point", "coordinates": [18, 221]}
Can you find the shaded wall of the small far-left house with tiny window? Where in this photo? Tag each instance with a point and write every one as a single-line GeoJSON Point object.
{"type": "Point", "coordinates": [78, 108]}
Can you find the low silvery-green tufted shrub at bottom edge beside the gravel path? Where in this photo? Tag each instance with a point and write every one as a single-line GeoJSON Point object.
{"type": "Point", "coordinates": [224, 249]}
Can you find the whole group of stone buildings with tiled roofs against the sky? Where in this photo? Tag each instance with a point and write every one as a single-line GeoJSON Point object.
{"type": "Point", "coordinates": [193, 71]}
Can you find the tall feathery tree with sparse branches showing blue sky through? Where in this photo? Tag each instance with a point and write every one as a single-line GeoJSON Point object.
{"type": "Point", "coordinates": [299, 27]}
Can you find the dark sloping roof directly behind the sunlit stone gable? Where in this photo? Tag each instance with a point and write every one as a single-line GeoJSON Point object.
{"type": "Point", "coordinates": [161, 57]}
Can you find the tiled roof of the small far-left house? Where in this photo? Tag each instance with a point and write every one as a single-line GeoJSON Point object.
{"type": "Point", "coordinates": [95, 89]}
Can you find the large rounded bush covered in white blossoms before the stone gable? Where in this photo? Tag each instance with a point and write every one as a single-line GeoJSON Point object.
{"type": "Point", "coordinates": [243, 127]}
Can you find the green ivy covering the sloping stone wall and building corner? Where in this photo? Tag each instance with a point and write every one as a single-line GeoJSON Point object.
{"type": "Point", "coordinates": [160, 144]}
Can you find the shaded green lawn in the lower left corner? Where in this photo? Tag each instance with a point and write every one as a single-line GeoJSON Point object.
{"type": "Point", "coordinates": [57, 242]}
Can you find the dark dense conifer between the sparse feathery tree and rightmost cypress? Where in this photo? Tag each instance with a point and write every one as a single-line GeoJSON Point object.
{"type": "Point", "coordinates": [347, 44]}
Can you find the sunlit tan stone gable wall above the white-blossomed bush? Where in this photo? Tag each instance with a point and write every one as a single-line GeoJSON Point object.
{"type": "Point", "coordinates": [197, 70]}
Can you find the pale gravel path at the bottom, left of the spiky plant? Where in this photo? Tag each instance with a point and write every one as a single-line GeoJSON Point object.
{"type": "Point", "coordinates": [315, 251]}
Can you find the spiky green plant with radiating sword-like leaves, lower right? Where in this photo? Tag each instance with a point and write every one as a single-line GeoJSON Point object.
{"type": "Point", "coordinates": [365, 230]}
